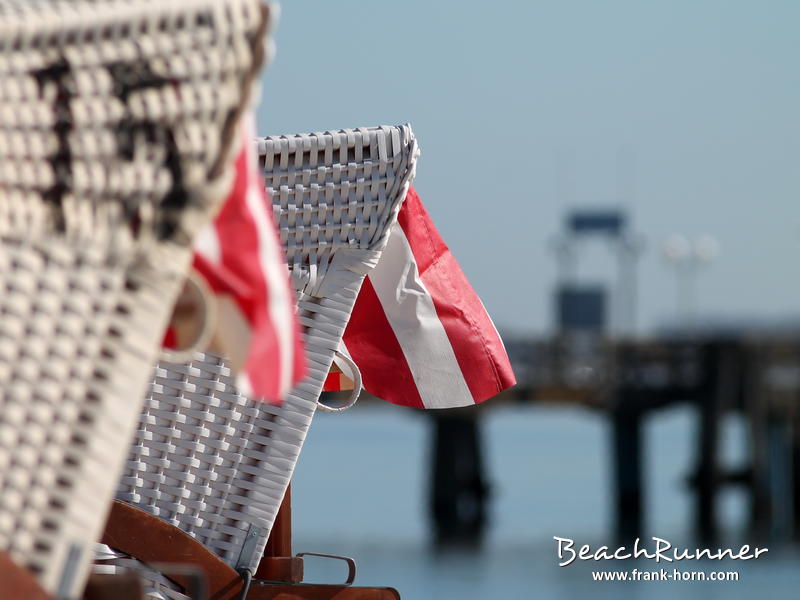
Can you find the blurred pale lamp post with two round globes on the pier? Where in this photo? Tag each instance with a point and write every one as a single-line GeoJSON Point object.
{"type": "Point", "coordinates": [687, 257]}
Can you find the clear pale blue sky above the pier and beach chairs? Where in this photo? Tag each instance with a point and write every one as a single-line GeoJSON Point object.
{"type": "Point", "coordinates": [684, 112]}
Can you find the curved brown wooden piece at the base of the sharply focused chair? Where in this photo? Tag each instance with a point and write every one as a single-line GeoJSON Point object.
{"type": "Point", "coordinates": [151, 540]}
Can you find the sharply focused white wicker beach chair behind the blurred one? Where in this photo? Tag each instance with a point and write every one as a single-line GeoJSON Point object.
{"type": "Point", "coordinates": [206, 459]}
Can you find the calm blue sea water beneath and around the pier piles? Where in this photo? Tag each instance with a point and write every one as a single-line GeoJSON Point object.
{"type": "Point", "coordinates": [360, 491]}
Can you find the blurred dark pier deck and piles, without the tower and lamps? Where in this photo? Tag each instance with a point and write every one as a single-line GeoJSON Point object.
{"type": "Point", "coordinates": [627, 381]}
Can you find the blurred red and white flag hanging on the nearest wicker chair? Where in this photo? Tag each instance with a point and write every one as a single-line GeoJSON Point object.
{"type": "Point", "coordinates": [241, 259]}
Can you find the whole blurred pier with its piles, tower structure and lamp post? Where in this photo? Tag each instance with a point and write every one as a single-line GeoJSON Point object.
{"type": "Point", "coordinates": [596, 361]}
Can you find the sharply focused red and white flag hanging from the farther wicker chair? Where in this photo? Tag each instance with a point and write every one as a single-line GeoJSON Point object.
{"type": "Point", "coordinates": [419, 333]}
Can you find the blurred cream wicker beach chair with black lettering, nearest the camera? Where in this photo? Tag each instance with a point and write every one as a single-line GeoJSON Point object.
{"type": "Point", "coordinates": [116, 128]}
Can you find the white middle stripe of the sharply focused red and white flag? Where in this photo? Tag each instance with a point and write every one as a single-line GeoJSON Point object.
{"type": "Point", "coordinates": [412, 316]}
